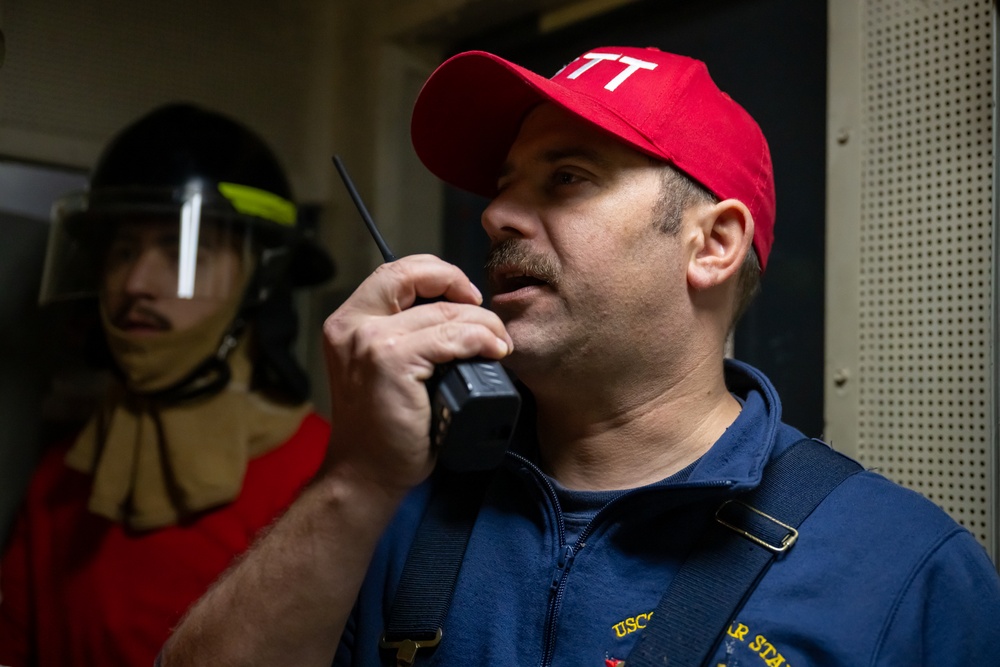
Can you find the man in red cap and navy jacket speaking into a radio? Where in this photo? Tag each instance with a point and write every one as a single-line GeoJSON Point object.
{"type": "Point", "coordinates": [632, 213]}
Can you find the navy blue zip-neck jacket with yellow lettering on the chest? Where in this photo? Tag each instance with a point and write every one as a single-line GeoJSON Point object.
{"type": "Point", "coordinates": [879, 575]}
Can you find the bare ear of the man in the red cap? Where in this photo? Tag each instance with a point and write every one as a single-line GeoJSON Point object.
{"type": "Point", "coordinates": [722, 236]}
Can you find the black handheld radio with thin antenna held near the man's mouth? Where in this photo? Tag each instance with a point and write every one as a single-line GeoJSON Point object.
{"type": "Point", "coordinates": [474, 404]}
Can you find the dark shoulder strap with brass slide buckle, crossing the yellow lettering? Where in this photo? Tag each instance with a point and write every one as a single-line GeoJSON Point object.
{"type": "Point", "coordinates": [749, 533]}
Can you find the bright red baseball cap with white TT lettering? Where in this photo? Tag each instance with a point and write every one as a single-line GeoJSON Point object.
{"type": "Point", "coordinates": [470, 110]}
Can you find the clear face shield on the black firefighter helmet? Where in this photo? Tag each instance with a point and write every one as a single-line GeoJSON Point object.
{"type": "Point", "coordinates": [181, 254]}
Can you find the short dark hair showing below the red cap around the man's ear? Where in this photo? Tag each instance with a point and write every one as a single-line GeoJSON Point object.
{"type": "Point", "coordinates": [680, 192]}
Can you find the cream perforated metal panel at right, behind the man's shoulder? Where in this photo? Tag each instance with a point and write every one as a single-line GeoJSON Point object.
{"type": "Point", "coordinates": [926, 284]}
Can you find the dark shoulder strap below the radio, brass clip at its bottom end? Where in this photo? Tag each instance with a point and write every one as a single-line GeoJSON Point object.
{"type": "Point", "coordinates": [427, 582]}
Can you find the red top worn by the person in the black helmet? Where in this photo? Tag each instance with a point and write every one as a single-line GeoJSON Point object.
{"type": "Point", "coordinates": [80, 590]}
